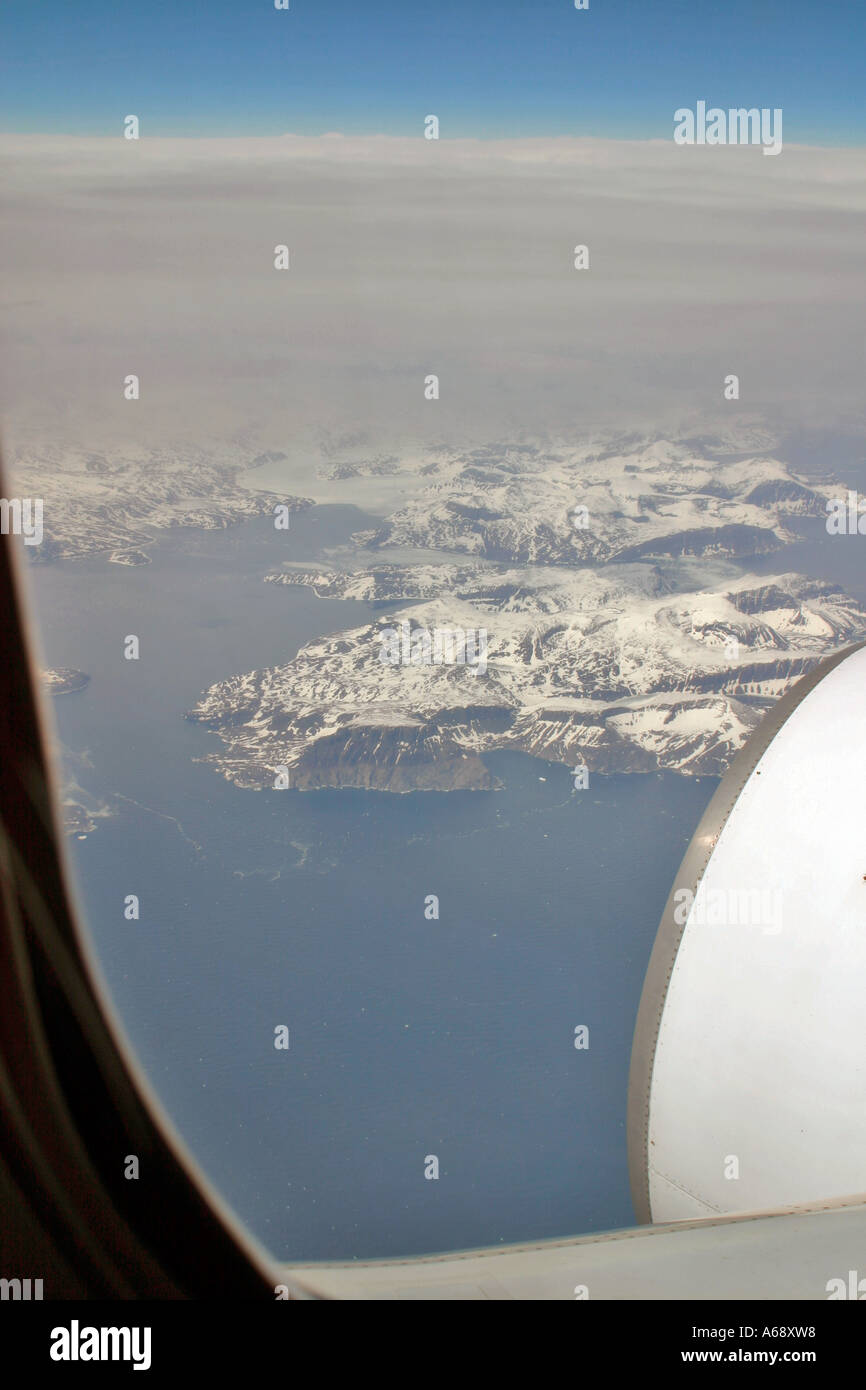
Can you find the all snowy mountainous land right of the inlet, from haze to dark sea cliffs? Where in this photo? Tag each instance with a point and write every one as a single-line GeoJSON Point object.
{"type": "Point", "coordinates": [628, 667]}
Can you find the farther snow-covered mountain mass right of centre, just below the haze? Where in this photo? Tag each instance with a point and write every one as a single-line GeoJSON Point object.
{"type": "Point", "coordinates": [559, 505]}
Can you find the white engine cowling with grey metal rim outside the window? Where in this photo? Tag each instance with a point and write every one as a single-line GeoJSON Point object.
{"type": "Point", "coordinates": [749, 1074]}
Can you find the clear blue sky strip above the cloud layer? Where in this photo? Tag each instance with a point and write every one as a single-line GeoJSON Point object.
{"type": "Point", "coordinates": [484, 67]}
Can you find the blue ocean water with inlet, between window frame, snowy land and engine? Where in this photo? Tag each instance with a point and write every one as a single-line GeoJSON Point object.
{"type": "Point", "coordinates": [409, 1038]}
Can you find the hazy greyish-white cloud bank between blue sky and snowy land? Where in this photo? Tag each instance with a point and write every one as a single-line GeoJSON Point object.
{"type": "Point", "coordinates": [412, 258]}
